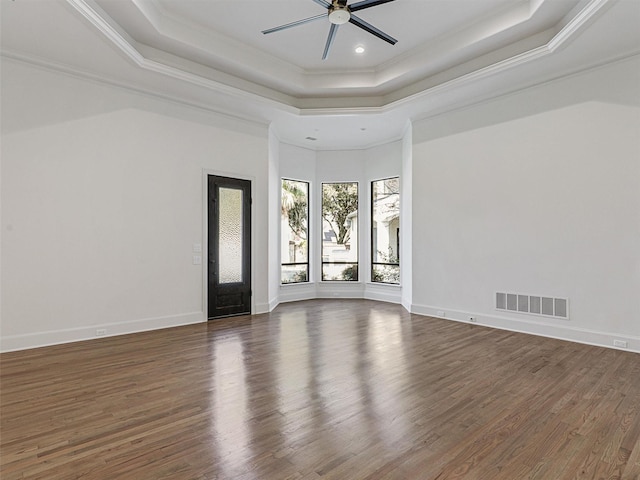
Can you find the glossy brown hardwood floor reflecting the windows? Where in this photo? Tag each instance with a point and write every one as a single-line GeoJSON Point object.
{"type": "Point", "coordinates": [323, 389]}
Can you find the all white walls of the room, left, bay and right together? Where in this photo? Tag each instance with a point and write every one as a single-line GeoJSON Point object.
{"type": "Point", "coordinates": [102, 200]}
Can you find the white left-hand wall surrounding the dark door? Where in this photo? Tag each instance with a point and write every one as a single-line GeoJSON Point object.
{"type": "Point", "coordinates": [102, 201]}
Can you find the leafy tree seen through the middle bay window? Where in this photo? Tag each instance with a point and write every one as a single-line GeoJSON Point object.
{"type": "Point", "coordinates": [339, 200]}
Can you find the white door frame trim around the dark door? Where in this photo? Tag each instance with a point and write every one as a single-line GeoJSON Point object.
{"type": "Point", "coordinates": [205, 236]}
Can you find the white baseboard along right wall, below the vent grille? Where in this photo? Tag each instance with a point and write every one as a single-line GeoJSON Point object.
{"type": "Point", "coordinates": [560, 331]}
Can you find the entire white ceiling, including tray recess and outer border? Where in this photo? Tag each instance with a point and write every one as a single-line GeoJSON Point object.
{"type": "Point", "coordinates": [212, 54]}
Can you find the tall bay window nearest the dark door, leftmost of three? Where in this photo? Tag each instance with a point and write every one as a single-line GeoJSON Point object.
{"type": "Point", "coordinates": [294, 208]}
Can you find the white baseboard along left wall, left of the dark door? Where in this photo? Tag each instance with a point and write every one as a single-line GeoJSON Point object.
{"type": "Point", "coordinates": [55, 337]}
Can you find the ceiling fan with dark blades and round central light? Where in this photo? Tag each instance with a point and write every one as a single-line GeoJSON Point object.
{"type": "Point", "coordinates": [340, 13]}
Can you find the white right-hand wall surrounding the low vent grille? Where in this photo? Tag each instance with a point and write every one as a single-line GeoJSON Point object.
{"type": "Point", "coordinates": [544, 204]}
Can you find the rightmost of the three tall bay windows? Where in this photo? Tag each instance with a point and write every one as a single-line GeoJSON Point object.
{"type": "Point", "coordinates": [385, 230]}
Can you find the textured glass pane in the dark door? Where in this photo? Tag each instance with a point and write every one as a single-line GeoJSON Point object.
{"type": "Point", "coordinates": [230, 235]}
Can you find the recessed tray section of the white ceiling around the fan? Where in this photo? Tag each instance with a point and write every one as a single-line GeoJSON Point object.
{"type": "Point", "coordinates": [434, 35]}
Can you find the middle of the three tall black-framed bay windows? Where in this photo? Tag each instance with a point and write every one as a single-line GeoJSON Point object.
{"type": "Point", "coordinates": [340, 231]}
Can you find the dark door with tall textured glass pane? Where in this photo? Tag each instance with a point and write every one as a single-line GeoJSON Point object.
{"type": "Point", "coordinates": [229, 264]}
